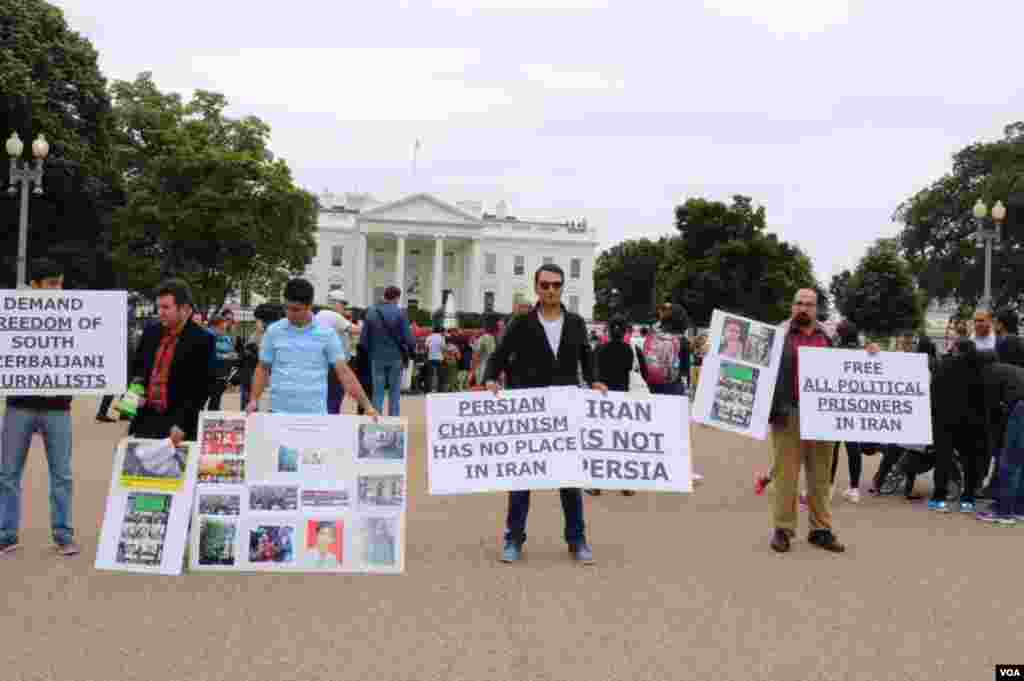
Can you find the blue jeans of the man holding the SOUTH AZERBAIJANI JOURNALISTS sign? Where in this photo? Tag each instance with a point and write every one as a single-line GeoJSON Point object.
{"type": "Point", "coordinates": [19, 427]}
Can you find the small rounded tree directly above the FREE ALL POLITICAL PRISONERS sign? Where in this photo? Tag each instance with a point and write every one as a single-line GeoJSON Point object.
{"type": "Point", "coordinates": [881, 295]}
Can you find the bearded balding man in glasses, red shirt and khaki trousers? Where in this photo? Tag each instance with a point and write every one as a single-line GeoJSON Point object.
{"type": "Point", "coordinates": [789, 449]}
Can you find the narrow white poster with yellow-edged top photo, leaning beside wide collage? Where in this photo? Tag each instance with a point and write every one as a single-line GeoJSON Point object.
{"type": "Point", "coordinates": [146, 525]}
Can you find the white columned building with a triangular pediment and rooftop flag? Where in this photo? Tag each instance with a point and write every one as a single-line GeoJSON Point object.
{"type": "Point", "coordinates": [429, 248]}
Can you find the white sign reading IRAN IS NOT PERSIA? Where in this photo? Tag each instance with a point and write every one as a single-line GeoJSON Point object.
{"type": "Point", "coordinates": [631, 442]}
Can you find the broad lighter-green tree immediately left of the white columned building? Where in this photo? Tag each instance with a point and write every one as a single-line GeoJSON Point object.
{"type": "Point", "coordinates": [206, 200]}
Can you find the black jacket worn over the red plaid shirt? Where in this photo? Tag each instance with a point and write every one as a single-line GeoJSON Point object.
{"type": "Point", "coordinates": [189, 382]}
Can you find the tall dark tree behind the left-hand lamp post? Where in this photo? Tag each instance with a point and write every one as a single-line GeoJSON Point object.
{"type": "Point", "coordinates": [52, 84]}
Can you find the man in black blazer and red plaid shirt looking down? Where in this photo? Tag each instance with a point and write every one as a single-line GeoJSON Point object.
{"type": "Point", "coordinates": [174, 361]}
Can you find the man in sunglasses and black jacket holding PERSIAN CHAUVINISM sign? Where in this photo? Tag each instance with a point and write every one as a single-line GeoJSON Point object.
{"type": "Point", "coordinates": [548, 347]}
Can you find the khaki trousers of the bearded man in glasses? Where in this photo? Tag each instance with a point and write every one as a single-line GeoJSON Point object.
{"type": "Point", "coordinates": [789, 453]}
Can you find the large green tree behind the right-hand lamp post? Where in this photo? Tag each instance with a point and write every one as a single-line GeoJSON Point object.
{"type": "Point", "coordinates": [938, 223]}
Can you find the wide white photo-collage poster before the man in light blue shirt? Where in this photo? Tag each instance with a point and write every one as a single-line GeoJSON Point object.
{"type": "Point", "coordinates": [317, 494]}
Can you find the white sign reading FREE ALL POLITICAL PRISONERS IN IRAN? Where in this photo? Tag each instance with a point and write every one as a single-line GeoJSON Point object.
{"type": "Point", "coordinates": [855, 397]}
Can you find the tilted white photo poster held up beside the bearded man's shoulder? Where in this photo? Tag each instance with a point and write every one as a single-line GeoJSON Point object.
{"type": "Point", "coordinates": [738, 379]}
